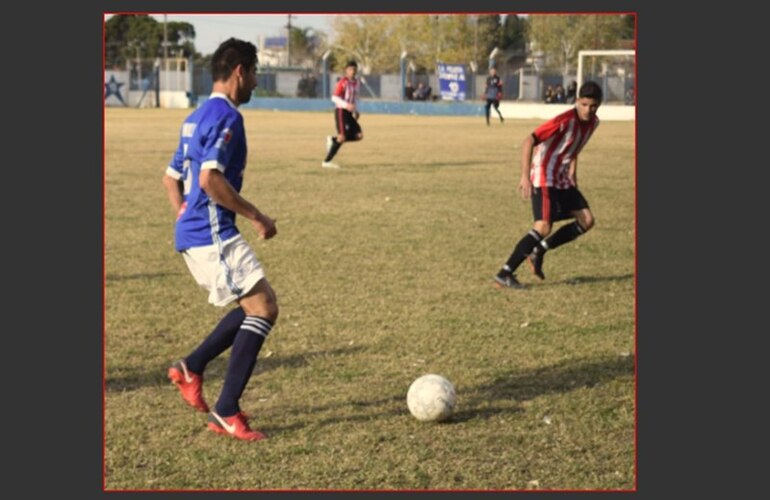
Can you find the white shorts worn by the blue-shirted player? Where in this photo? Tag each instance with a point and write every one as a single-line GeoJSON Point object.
{"type": "Point", "coordinates": [228, 270]}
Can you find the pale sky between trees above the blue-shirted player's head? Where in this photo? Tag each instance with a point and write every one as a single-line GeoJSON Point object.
{"type": "Point", "coordinates": [213, 29]}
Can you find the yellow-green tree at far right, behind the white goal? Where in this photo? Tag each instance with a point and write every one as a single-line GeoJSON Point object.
{"type": "Point", "coordinates": [561, 37]}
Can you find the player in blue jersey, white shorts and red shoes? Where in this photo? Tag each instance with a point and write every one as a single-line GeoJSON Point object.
{"type": "Point", "coordinates": [203, 183]}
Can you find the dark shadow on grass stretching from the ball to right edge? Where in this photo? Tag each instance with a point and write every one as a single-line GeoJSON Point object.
{"type": "Point", "coordinates": [523, 385]}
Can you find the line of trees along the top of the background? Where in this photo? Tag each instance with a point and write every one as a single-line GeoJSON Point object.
{"type": "Point", "coordinates": [377, 41]}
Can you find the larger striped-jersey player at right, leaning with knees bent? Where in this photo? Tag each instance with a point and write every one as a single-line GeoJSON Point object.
{"type": "Point", "coordinates": [549, 162]}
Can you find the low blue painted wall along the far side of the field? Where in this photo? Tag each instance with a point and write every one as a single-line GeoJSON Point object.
{"type": "Point", "coordinates": [439, 108]}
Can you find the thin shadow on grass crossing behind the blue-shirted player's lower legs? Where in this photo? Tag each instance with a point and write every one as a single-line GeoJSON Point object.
{"type": "Point", "coordinates": [216, 369]}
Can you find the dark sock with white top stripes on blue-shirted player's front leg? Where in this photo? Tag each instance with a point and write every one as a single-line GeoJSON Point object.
{"type": "Point", "coordinates": [243, 358]}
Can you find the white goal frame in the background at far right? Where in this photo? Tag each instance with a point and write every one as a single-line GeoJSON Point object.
{"type": "Point", "coordinates": [619, 71]}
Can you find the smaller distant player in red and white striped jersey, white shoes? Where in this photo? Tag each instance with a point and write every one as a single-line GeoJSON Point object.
{"type": "Point", "coordinates": [346, 114]}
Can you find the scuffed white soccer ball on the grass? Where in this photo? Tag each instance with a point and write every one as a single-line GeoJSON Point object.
{"type": "Point", "coordinates": [431, 398]}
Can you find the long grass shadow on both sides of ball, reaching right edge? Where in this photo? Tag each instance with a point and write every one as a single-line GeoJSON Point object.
{"type": "Point", "coordinates": [479, 401]}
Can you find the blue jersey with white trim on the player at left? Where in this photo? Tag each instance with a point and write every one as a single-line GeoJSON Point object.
{"type": "Point", "coordinates": [211, 137]}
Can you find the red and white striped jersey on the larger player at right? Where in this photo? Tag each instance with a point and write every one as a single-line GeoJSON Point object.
{"type": "Point", "coordinates": [557, 142]}
